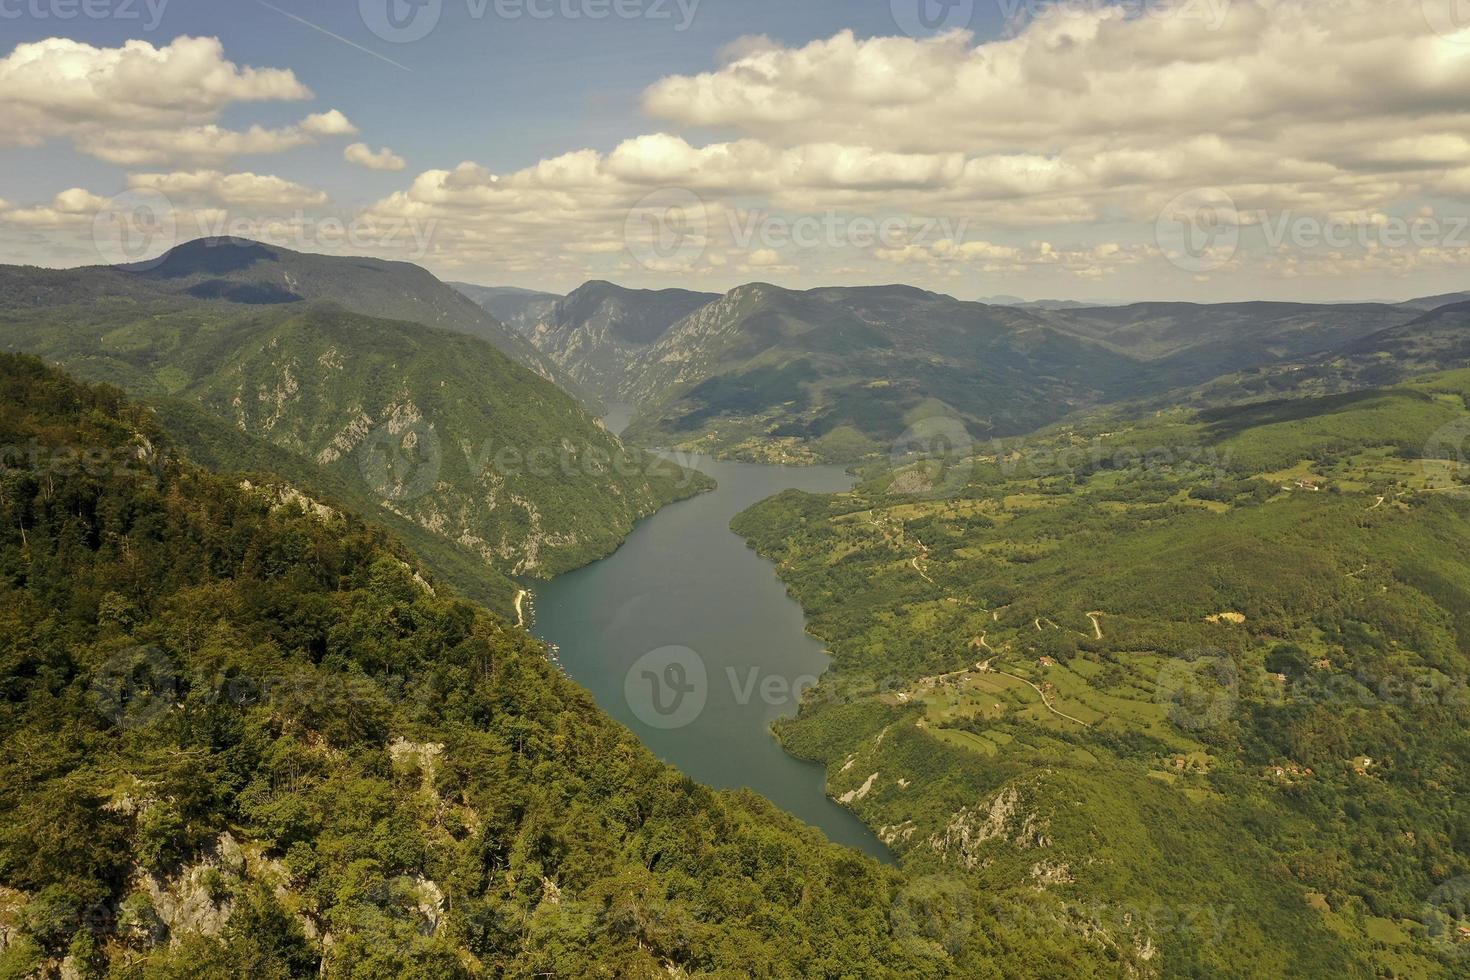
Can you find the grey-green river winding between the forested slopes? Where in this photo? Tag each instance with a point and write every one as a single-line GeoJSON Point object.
{"type": "Point", "coordinates": [689, 638]}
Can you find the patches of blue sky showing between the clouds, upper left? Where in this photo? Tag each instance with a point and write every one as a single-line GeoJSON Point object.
{"type": "Point", "coordinates": [501, 92]}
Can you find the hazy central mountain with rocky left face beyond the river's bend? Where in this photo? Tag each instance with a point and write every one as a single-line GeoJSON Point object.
{"type": "Point", "coordinates": [845, 372]}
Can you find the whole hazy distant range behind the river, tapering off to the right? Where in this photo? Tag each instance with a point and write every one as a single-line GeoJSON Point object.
{"type": "Point", "coordinates": [845, 374]}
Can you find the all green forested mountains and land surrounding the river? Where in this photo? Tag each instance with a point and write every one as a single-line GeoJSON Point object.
{"type": "Point", "coordinates": [1140, 650]}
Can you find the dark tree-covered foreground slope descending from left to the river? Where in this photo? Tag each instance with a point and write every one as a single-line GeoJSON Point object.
{"type": "Point", "coordinates": [251, 737]}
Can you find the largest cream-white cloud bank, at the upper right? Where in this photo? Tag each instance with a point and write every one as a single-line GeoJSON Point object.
{"type": "Point", "coordinates": [1284, 104]}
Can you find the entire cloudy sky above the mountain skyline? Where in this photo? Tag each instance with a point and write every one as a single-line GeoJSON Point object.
{"type": "Point", "coordinates": [1102, 151]}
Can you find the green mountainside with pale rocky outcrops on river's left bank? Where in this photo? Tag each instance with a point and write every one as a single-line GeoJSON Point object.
{"type": "Point", "coordinates": [434, 427]}
